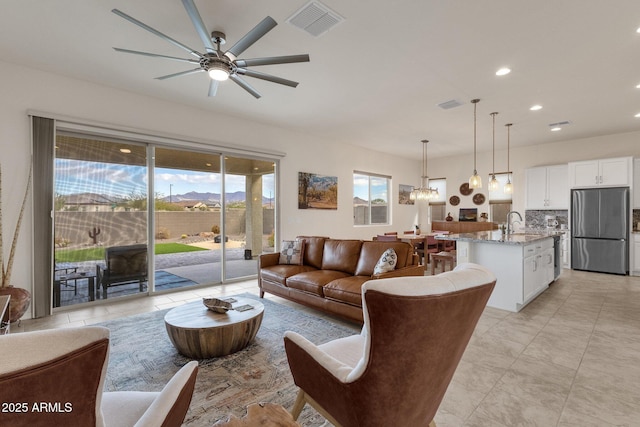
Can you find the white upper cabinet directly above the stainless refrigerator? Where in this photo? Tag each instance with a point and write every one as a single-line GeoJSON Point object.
{"type": "Point", "coordinates": [601, 173]}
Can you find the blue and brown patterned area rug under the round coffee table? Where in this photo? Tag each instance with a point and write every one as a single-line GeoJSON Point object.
{"type": "Point", "coordinates": [143, 358]}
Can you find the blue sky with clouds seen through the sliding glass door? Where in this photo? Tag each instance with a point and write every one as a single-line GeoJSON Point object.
{"type": "Point", "coordinates": [74, 176]}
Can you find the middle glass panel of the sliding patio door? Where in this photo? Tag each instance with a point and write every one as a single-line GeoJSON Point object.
{"type": "Point", "coordinates": [187, 217]}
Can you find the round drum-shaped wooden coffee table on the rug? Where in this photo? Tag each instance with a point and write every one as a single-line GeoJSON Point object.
{"type": "Point", "coordinates": [200, 333]}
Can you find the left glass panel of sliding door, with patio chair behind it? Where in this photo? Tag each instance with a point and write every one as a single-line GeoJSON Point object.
{"type": "Point", "coordinates": [100, 205]}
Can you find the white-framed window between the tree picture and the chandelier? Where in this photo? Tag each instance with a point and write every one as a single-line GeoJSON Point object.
{"type": "Point", "coordinates": [370, 198]}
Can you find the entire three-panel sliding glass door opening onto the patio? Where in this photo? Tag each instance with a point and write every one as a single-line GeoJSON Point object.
{"type": "Point", "coordinates": [132, 218]}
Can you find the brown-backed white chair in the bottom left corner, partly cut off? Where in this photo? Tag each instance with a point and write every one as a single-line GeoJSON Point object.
{"type": "Point", "coordinates": [65, 369]}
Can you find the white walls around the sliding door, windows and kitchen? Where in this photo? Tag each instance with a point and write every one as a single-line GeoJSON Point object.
{"type": "Point", "coordinates": [22, 89]}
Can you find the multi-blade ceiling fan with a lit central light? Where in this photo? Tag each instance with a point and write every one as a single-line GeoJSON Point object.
{"type": "Point", "coordinates": [218, 64]}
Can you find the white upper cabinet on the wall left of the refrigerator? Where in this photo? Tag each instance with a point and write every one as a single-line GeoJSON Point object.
{"type": "Point", "coordinates": [547, 187]}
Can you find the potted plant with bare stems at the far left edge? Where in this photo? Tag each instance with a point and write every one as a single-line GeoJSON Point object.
{"type": "Point", "coordinates": [20, 298]}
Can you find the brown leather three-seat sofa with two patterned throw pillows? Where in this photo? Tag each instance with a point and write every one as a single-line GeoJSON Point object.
{"type": "Point", "coordinates": [333, 272]}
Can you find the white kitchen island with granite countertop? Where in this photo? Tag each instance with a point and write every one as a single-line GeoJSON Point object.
{"type": "Point", "coordinates": [523, 263]}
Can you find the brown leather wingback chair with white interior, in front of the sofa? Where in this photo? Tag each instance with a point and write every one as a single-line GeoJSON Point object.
{"type": "Point", "coordinates": [397, 370]}
